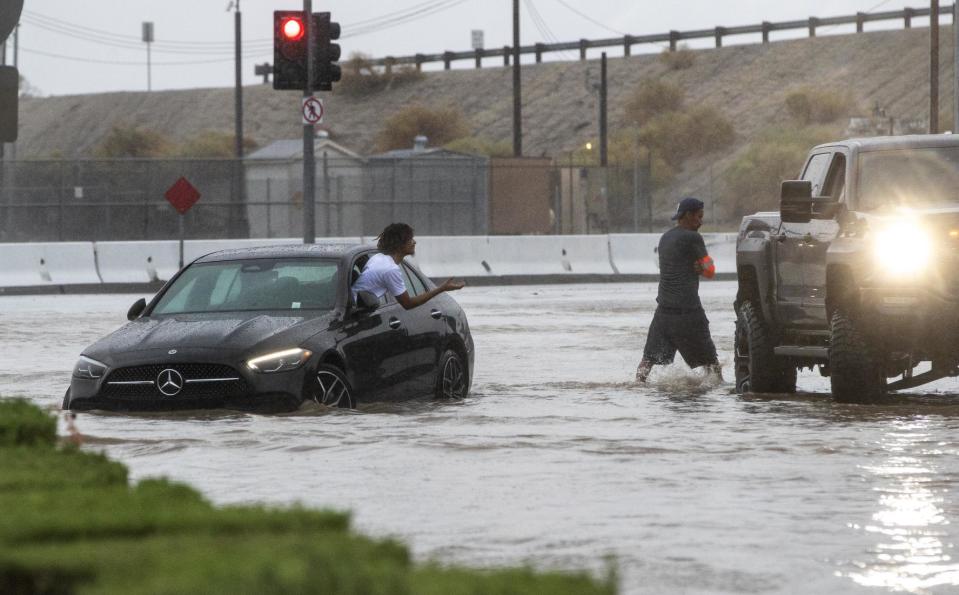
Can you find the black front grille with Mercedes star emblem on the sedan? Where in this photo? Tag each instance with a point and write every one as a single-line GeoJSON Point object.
{"type": "Point", "coordinates": [195, 381]}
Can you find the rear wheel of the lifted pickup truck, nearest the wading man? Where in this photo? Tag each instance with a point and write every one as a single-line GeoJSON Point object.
{"type": "Point", "coordinates": [757, 367]}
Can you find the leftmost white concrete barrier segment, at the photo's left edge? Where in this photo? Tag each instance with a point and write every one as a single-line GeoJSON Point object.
{"type": "Point", "coordinates": [37, 264]}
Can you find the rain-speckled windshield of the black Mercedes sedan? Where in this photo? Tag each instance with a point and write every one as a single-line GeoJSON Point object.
{"type": "Point", "coordinates": [255, 284]}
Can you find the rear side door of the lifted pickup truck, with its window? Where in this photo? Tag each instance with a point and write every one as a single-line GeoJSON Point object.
{"type": "Point", "coordinates": [790, 243]}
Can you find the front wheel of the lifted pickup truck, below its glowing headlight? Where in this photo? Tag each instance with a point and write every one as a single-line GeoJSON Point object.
{"type": "Point", "coordinates": [854, 368]}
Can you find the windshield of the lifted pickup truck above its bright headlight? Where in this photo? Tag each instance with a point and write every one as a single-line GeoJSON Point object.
{"type": "Point", "coordinates": [909, 177]}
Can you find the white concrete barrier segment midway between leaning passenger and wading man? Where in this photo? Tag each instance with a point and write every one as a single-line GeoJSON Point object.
{"type": "Point", "coordinates": [550, 255]}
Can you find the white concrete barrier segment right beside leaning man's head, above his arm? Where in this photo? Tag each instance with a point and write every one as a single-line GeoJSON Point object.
{"type": "Point", "coordinates": [453, 256]}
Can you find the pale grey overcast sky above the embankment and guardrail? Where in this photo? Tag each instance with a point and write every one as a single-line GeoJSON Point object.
{"type": "Point", "coordinates": [90, 46]}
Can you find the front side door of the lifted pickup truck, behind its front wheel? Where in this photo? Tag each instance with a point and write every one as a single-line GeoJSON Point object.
{"type": "Point", "coordinates": [823, 230]}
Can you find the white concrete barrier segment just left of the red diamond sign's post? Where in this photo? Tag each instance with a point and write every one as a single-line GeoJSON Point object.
{"type": "Point", "coordinates": [137, 262]}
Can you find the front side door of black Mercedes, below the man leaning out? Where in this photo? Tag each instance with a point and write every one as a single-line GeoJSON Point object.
{"type": "Point", "coordinates": [375, 345]}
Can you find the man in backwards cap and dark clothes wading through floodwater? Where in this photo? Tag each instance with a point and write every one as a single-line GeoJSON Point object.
{"type": "Point", "coordinates": [680, 322]}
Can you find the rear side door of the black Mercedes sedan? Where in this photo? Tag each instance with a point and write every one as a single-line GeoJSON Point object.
{"type": "Point", "coordinates": [425, 327]}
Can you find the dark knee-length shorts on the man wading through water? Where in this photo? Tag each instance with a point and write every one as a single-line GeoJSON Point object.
{"type": "Point", "coordinates": [683, 330]}
